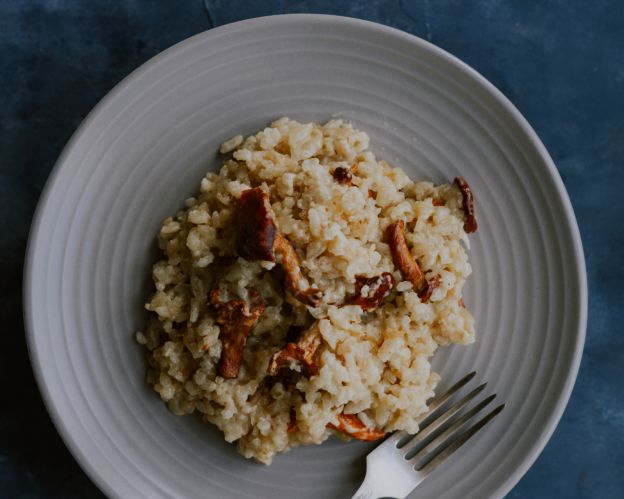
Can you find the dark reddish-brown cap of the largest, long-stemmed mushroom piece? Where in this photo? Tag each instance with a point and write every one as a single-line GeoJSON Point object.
{"type": "Point", "coordinates": [258, 230]}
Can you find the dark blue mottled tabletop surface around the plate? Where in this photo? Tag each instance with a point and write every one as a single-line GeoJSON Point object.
{"type": "Point", "coordinates": [560, 62]}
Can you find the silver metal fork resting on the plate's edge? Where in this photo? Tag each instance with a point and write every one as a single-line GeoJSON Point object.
{"type": "Point", "coordinates": [402, 462]}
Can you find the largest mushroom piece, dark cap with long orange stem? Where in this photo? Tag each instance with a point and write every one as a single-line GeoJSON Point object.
{"type": "Point", "coordinates": [259, 239]}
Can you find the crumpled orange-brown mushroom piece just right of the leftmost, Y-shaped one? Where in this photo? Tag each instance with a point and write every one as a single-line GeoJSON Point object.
{"type": "Point", "coordinates": [299, 355]}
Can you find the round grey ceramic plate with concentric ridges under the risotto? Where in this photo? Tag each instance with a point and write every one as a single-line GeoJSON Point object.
{"type": "Point", "coordinates": [144, 149]}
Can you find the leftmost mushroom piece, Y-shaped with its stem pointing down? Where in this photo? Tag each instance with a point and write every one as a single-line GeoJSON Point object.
{"type": "Point", "coordinates": [236, 318]}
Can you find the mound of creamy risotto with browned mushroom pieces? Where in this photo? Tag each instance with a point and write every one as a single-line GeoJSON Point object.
{"type": "Point", "coordinates": [302, 293]}
